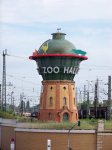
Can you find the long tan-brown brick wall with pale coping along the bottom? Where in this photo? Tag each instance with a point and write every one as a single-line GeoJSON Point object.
{"type": "Point", "coordinates": [33, 139]}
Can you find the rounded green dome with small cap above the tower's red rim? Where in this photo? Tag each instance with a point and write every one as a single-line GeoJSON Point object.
{"type": "Point", "coordinates": [57, 45]}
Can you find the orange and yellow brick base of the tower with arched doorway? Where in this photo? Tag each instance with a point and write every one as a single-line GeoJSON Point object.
{"type": "Point", "coordinates": [58, 101]}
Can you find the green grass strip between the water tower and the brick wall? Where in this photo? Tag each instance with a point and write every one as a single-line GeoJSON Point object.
{"type": "Point", "coordinates": [85, 125]}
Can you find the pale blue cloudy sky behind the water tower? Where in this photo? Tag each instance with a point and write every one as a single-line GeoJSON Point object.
{"type": "Point", "coordinates": [26, 24]}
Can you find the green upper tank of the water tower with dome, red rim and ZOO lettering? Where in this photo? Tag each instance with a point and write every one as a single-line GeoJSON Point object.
{"type": "Point", "coordinates": [58, 59]}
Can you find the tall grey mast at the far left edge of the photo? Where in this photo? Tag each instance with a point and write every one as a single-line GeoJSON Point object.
{"type": "Point", "coordinates": [4, 81]}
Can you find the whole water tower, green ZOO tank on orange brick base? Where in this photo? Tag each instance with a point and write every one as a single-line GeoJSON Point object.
{"type": "Point", "coordinates": [58, 62]}
